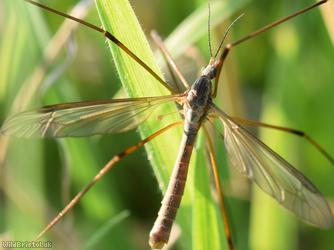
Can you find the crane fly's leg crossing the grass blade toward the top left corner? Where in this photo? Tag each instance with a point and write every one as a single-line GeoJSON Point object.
{"type": "Point", "coordinates": [109, 36]}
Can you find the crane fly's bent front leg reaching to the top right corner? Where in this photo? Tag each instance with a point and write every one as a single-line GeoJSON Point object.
{"type": "Point", "coordinates": [229, 46]}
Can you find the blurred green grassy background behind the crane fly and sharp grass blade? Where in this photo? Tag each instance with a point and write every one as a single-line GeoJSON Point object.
{"type": "Point", "coordinates": [283, 77]}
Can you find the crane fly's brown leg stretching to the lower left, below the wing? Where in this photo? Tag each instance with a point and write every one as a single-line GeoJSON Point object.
{"type": "Point", "coordinates": [100, 174]}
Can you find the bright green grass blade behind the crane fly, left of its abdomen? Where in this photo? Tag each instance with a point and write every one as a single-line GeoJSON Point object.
{"type": "Point", "coordinates": [119, 19]}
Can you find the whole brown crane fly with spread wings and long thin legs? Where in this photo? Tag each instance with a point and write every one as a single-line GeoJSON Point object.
{"type": "Point", "coordinates": [250, 156]}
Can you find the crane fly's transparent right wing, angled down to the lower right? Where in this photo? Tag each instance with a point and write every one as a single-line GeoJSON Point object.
{"type": "Point", "coordinates": [273, 174]}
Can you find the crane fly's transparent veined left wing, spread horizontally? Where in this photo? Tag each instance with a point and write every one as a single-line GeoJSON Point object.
{"type": "Point", "coordinates": [84, 118]}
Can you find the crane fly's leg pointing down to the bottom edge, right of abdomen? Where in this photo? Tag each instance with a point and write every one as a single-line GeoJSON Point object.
{"type": "Point", "coordinates": [219, 189]}
